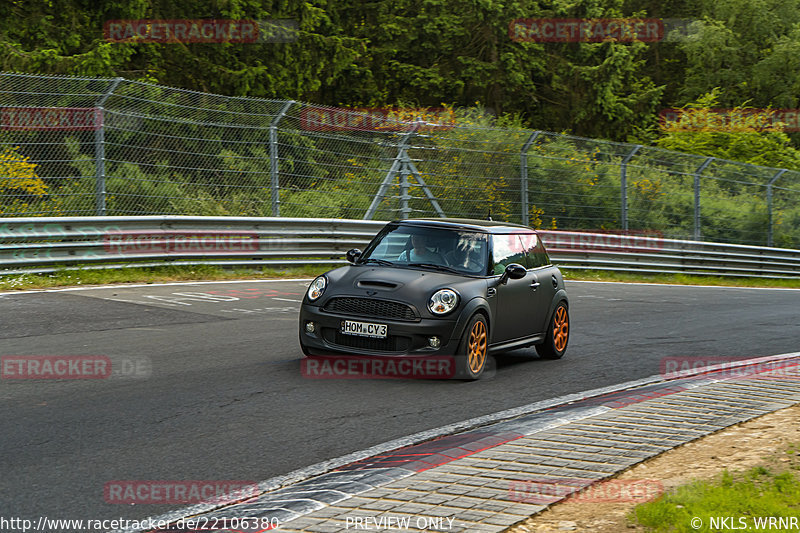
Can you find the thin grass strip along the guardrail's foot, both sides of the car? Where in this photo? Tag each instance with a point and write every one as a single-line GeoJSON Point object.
{"type": "Point", "coordinates": [167, 273]}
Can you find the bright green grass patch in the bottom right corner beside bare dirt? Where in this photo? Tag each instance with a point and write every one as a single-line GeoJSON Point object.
{"type": "Point", "coordinates": [762, 498]}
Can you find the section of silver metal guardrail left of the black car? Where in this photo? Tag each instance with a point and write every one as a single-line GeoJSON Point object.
{"type": "Point", "coordinates": [47, 244]}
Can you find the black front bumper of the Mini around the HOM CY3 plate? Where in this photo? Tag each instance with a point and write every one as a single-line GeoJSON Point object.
{"type": "Point", "coordinates": [404, 338]}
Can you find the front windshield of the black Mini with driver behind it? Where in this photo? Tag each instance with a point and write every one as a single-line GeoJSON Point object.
{"type": "Point", "coordinates": [446, 249]}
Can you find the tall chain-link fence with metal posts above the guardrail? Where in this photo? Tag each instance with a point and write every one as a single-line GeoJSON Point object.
{"type": "Point", "coordinates": [79, 146]}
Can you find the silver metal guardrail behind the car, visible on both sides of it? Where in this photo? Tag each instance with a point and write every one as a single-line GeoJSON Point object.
{"type": "Point", "coordinates": [40, 245]}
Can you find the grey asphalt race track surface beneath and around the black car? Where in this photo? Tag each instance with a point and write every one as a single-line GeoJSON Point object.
{"type": "Point", "coordinates": [212, 389]}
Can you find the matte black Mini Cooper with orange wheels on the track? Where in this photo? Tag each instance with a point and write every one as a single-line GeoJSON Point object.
{"type": "Point", "coordinates": [440, 287]}
